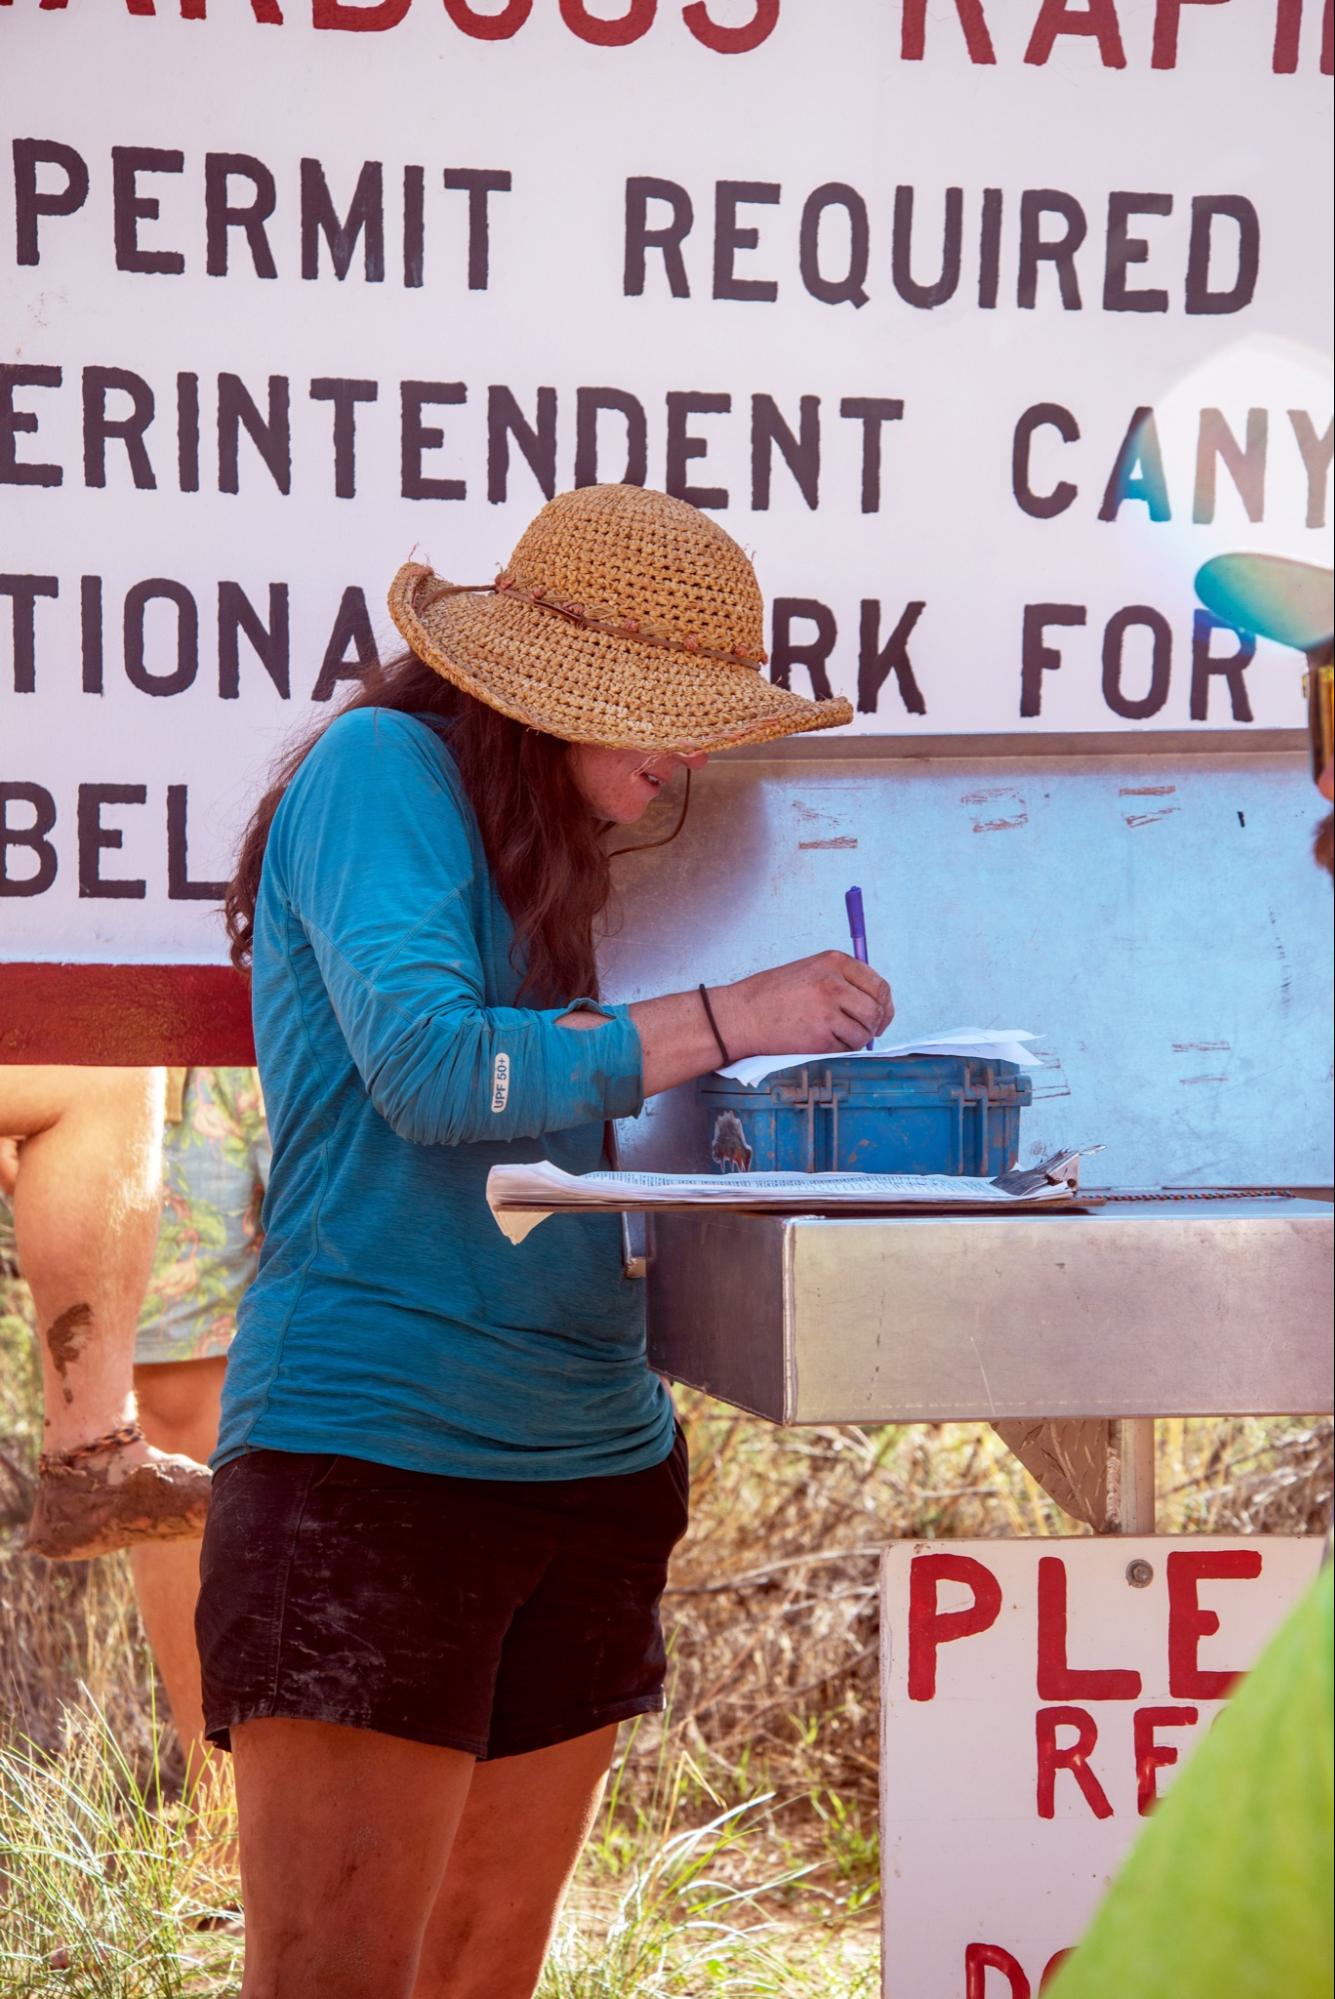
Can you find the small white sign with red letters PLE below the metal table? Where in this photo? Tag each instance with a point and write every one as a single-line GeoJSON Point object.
{"type": "Point", "coordinates": [1038, 1700]}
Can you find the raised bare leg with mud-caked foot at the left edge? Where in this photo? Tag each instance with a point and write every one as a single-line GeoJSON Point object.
{"type": "Point", "coordinates": [87, 1208]}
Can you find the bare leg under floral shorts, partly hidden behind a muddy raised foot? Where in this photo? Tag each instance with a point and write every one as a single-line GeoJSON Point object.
{"type": "Point", "coordinates": [179, 1412]}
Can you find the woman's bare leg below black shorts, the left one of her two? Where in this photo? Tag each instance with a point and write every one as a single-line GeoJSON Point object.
{"type": "Point", "coordinates": [345, 1844]}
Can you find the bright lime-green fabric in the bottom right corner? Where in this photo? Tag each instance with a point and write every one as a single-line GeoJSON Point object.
{"type": "Point", "coordinates": [1228, 1892]}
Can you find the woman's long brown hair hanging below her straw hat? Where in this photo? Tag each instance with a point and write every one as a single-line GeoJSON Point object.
{"type": "Point", "coordinates": [543, 843]}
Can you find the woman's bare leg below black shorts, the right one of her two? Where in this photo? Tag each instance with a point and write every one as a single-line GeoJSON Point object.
{"type": "Point", "coordinates": [517, 1848]}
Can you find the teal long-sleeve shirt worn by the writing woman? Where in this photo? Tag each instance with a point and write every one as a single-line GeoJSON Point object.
{"type": "Point", "coordinates": [391, 1318]}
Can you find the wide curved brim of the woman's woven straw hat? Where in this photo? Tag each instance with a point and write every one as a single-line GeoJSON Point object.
{"type": "Point", "coordinates": [595, 687]}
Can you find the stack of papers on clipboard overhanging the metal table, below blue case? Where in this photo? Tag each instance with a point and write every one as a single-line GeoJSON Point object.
{"type": "Point", "coordinates": [523, 1196]}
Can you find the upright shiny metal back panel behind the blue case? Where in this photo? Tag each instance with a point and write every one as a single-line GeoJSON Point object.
{"type": "Point", "coordinates": [1154, 917]}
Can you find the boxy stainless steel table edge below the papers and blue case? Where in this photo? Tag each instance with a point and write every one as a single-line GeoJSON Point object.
{"type": "Point", "coordinates": [1176, 1308]}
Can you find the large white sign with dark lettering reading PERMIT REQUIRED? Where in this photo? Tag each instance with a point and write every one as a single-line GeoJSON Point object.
{"type": "Point", "coordinates": [980, 323]}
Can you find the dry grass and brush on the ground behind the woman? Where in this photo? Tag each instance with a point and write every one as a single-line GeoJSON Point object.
{"type": "Point", "coordinates": [738, 1848]}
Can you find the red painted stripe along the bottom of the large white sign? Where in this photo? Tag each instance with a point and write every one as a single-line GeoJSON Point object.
{"type": "Point", "coordinates": [125, 1016]}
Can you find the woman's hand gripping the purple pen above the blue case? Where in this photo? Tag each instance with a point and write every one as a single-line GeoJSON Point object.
{"type": "Point", "coordinates": [814, 1006]}
